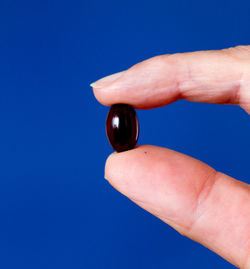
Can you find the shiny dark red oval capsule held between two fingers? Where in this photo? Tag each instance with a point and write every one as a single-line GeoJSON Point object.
{"type": "Point", "coordinates": [122, 127]}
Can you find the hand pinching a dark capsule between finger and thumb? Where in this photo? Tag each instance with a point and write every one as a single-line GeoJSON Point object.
{"type": "Point", "coordinates": [199, 202]}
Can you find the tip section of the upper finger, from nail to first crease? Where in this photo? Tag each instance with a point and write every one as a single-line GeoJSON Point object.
{"type": "Point", "coordinates": [142, 85]}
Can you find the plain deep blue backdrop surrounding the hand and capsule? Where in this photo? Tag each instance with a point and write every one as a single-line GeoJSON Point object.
{"type": "Point", "coordinates": [56, 209]}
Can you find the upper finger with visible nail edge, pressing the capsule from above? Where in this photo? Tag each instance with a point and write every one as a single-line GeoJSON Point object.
{"type": "Point", "coordinates": [221, 77]}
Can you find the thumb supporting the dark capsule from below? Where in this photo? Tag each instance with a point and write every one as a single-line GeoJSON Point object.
{"type": "Point", "coordinates": [207, 206]}
